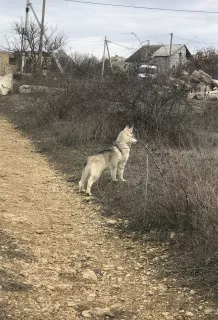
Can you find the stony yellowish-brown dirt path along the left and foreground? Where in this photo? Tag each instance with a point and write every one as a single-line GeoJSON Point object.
{"type": "Point", "coordinates": [59, 259]}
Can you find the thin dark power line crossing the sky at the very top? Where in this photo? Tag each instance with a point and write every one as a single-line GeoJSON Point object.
{"type": "Point", "coordinates": [141, 7]}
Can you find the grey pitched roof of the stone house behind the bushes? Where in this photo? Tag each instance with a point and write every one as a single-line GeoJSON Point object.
{"type": "Point", "coordinates": [146, 53]}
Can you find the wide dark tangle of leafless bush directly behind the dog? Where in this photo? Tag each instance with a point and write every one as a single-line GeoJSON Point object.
{"type": "Point", "coordinates": [155, 106]}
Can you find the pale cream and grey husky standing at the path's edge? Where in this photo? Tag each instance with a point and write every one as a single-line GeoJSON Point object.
{"type": "Point", "coordinates": [114, 158]}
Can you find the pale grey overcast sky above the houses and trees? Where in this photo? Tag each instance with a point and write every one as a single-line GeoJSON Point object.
{"type": "Point", "coordinates": [85, 25]}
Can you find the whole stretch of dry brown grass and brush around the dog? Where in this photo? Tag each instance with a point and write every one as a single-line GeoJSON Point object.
{"type": "Point", "coordinates": [173, 188]}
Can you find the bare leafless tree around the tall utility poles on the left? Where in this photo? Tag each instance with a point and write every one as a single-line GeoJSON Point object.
{"type": "Point", "coordinates": [34, 63]}
